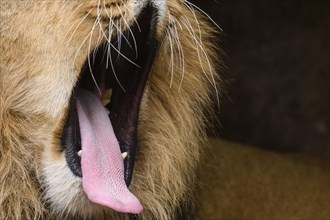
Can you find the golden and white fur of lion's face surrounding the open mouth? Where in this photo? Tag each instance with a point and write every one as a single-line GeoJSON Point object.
{"type": "Point", "coordinates": [40, 60]}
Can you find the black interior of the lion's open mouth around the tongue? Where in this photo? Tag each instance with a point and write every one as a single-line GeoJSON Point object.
{"type": "Point", "coordinates": [126, 76]}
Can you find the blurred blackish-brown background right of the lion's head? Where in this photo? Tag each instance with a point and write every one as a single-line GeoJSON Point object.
{"type": "Point", "coordinates": [278, 79]}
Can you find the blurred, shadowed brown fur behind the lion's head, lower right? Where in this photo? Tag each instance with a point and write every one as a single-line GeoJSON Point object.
{"type": "Point", "coordinates": [240, 182]}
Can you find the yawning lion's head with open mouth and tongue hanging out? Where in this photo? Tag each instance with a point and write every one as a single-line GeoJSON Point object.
{"type": "Point", "coordinates": [99, 95]}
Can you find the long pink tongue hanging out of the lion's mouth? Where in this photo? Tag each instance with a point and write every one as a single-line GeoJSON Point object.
{"type": "Point", "coordinates": [101, 160]}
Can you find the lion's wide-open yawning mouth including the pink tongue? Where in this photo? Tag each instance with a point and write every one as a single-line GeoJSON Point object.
{"type": "Point", "coordinates": [101, 127]}
